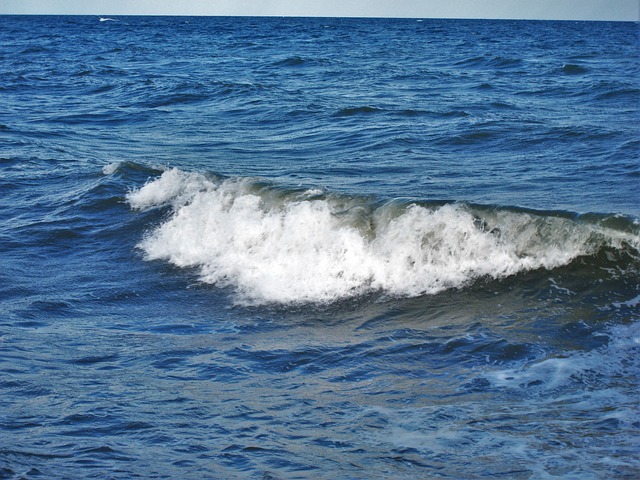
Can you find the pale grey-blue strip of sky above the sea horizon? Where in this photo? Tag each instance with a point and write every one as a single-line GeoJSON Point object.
{"type": "Point", "coordinates": [626, 10]}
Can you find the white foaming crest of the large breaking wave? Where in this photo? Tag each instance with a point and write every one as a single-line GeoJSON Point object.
{"type": "Point", "coordinates": [274, 245]}
